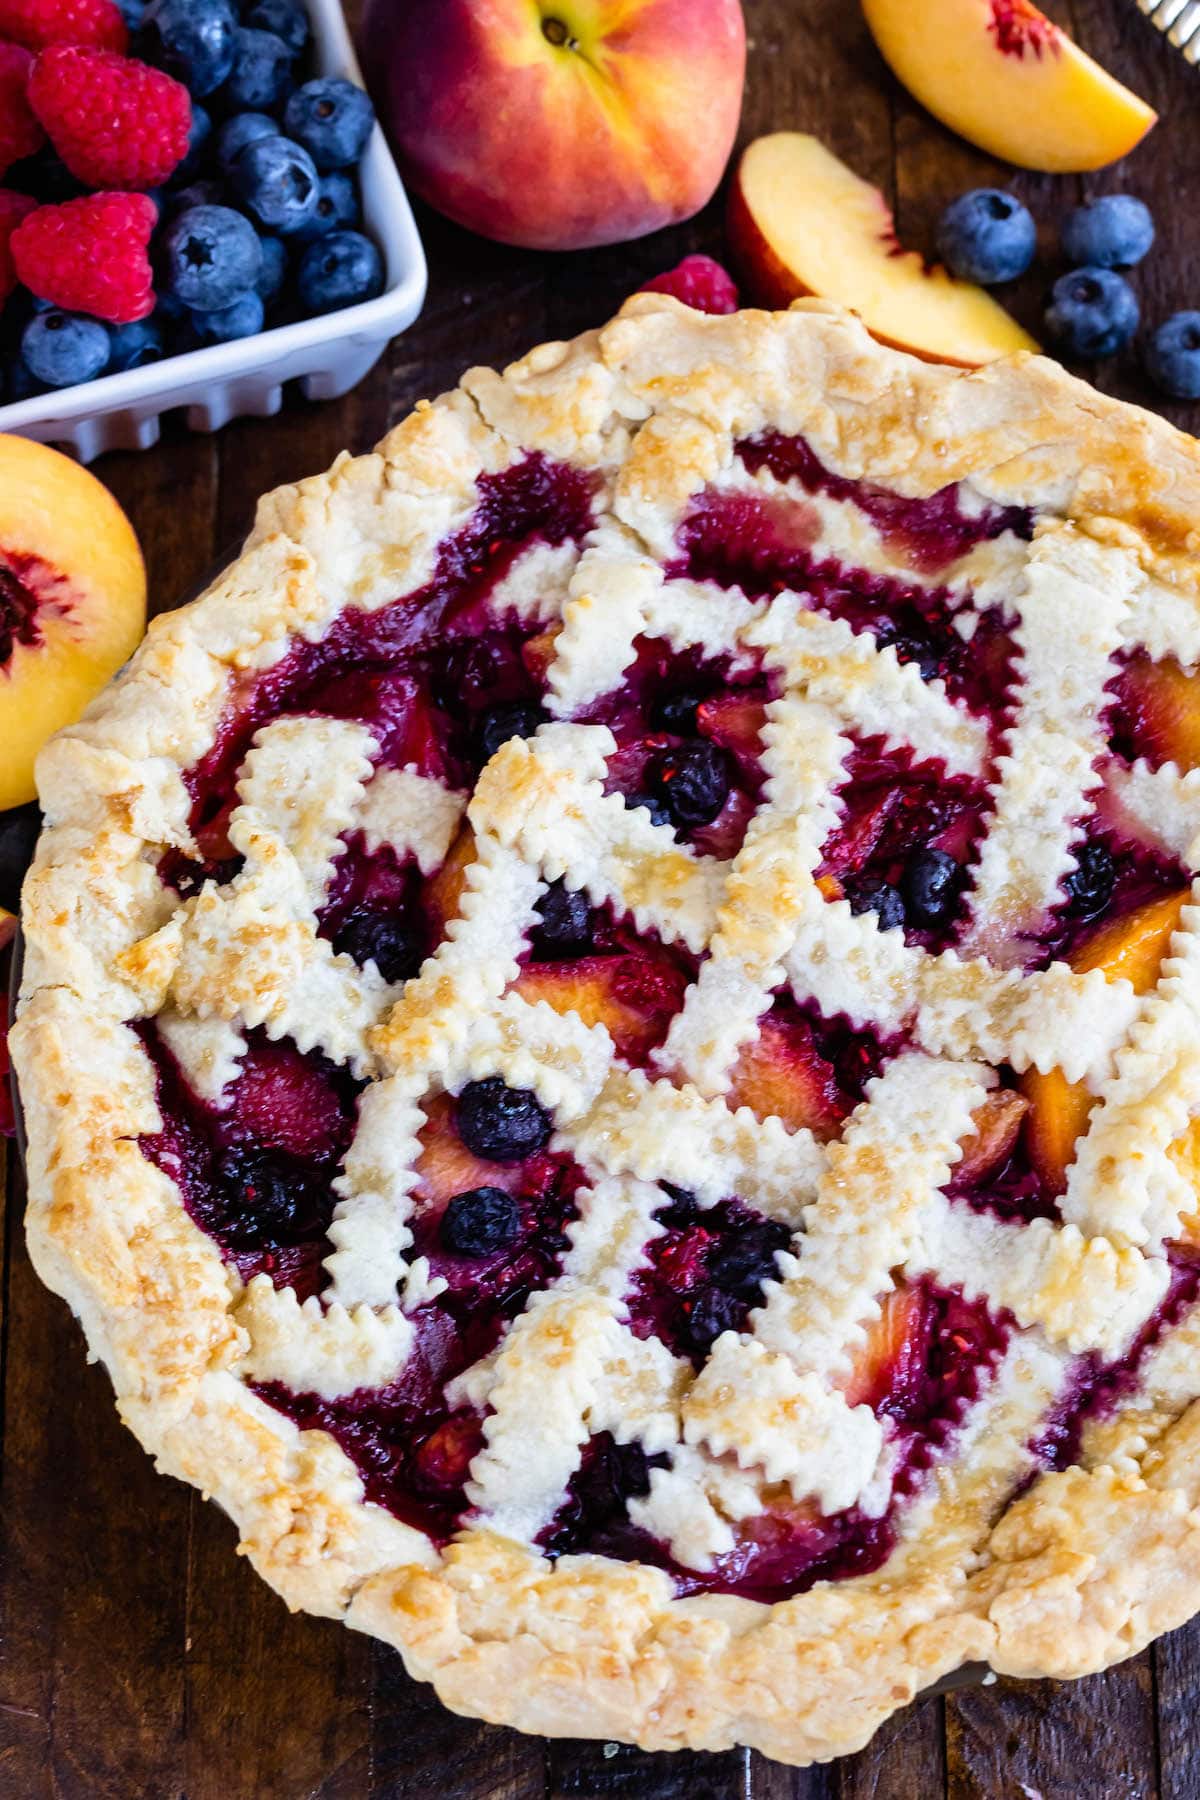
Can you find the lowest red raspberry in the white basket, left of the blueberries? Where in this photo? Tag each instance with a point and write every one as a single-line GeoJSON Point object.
{"type": "Point", "coordinates": [91, 256]}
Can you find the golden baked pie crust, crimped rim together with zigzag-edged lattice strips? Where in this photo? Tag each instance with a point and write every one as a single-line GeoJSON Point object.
{"type": "Point", "coordinates": [1077, 525]}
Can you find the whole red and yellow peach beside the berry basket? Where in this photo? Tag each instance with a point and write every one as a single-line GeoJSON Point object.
{"type": "Point", "coordinates": [559, 125]}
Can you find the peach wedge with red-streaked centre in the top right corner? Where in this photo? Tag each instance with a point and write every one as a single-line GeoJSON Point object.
{"type": "Point", "coordinates": [1001, 76]}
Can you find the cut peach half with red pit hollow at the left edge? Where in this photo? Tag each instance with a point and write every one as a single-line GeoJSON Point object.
{"type": "Point", "coordinates": [73, 602]}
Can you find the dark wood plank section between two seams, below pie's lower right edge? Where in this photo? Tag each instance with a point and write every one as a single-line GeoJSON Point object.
{"type": "Point", "coordinates": [1053, 1740]}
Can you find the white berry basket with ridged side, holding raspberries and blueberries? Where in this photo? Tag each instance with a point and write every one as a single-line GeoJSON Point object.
{"type": "Point", "coordinates": [224, 382]}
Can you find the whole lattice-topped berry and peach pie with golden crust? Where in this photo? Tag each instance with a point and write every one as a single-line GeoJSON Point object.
{"type": "Point", "coordinates": [611, 1034]}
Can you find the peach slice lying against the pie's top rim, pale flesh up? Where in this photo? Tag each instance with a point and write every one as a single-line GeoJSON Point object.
{"type": "Point", "coordinates": [801, 222]}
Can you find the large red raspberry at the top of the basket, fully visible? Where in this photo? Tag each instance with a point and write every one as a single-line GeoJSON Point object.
{"type": "Point", "coordinates": [116, 123]}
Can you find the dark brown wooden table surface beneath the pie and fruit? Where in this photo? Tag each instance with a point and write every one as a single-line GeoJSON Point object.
{"type": "Point", "coordinates": [139, 1655]}
